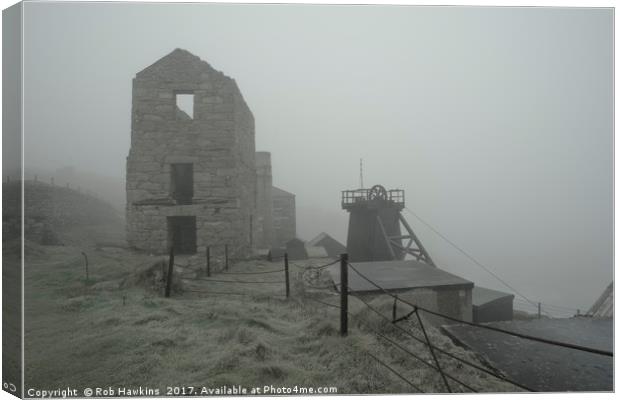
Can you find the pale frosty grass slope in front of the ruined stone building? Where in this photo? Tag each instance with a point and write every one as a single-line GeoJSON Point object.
{"type": "Point", "coordinates": [116, 331]}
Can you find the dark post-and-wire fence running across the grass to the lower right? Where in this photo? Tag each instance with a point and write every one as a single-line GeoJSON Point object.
{"type": "Point", "coordinates": [438, 355]}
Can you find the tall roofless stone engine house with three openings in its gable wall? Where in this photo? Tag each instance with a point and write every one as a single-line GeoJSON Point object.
{"type": "Point", "coordinates": [191, 175]}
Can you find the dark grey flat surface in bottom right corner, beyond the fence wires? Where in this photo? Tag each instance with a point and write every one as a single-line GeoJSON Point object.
{"type": "Point", "coordinates": [545, 367]}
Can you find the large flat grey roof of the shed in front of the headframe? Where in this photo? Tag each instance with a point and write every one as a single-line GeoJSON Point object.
{"type": "Point", "coordinates": [398, 275]}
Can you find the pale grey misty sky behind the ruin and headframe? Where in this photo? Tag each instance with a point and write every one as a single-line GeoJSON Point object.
{"type": "Point", "coordinates": [497, 122]}
